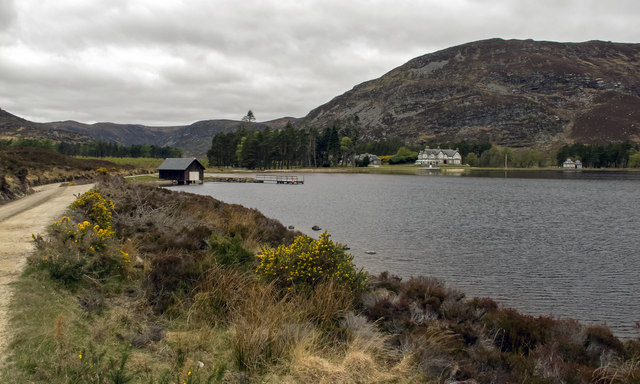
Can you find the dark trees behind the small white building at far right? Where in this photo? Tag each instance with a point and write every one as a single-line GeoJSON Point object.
{"type": "Point", "coordinates": [613, 155]}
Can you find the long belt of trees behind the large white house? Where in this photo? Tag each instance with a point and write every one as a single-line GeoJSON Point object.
{"type": "Point", "coordinates": [337, 146]}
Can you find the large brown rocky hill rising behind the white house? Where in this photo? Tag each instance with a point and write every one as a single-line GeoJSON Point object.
{"type": "Point", "coordinates": [513, 93]}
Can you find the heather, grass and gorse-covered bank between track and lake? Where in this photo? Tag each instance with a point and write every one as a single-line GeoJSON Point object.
{"type": "Point", "coordinates": [139, 284]}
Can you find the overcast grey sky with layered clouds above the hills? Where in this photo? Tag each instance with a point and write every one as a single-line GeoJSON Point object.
{"type": "Point", "coordinates": [174, 62]}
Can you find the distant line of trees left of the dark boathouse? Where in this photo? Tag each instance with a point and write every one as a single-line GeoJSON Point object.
{"type": "Point", "coordinates": [98, 148]}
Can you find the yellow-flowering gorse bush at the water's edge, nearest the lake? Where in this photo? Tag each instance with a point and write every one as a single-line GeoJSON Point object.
{"type": "Point", "coordinates": [307, 262]}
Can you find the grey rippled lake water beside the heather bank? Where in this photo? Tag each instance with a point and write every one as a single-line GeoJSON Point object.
{"type": "Point", "coordinates": [565, 245]}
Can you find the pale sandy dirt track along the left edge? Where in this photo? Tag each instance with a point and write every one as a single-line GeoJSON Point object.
{"type": "Point", "coordinates": [18, 220]}
